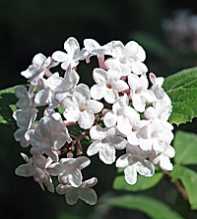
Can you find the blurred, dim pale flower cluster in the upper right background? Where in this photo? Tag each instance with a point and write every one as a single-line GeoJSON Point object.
{"type": "Point", "coordinates": [181, 30]}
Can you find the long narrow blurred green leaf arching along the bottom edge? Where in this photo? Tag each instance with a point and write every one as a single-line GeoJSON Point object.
{"type": "Point", "coordinates": [152, 207]}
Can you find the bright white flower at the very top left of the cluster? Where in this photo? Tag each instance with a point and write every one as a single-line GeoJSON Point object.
{"type": "Point", "coordinates": [72, 56]}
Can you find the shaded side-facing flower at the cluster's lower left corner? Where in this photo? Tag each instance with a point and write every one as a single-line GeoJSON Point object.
{"type": "Point", "coordinates": [37, 168]}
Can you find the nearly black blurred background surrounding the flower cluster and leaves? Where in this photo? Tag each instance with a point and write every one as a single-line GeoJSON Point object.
{"type": "Point", "coordinates": [31, 26]}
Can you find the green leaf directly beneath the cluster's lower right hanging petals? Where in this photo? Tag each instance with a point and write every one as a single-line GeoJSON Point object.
{"type": "Point", "coordinates": [143, 183]}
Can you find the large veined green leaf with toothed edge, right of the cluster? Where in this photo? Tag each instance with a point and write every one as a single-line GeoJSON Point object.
{"type": "Point", "coordinates": [182, 89]}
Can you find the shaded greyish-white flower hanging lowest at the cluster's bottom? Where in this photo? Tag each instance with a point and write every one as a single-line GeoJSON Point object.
{"type": "Point", "coordinates": [83, 192]}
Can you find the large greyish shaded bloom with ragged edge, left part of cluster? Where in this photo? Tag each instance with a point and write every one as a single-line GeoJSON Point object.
{"type": "Point", "coordinates": [49, 136]}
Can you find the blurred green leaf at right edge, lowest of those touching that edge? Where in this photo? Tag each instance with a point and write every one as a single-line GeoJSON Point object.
{"type": "Point", "coordinates": [188, 178]}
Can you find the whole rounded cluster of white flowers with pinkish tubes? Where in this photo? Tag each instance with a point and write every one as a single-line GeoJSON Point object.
{"type": "Point", "coordinates": [63, 121]}
